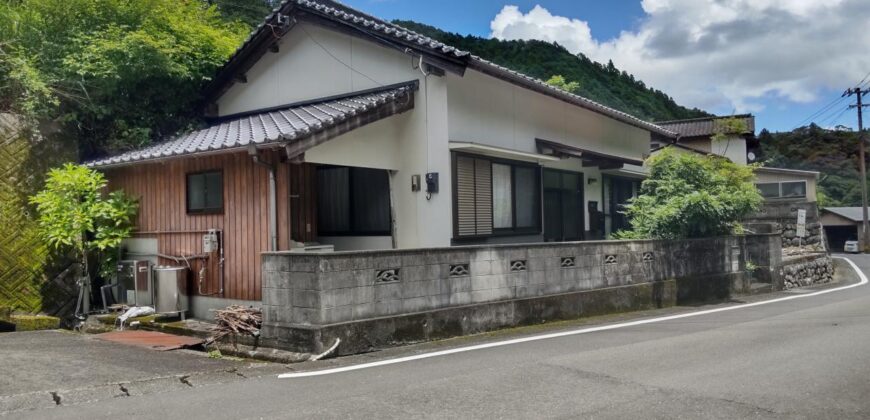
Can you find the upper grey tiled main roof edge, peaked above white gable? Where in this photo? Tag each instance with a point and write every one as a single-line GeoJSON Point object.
{"type": "Point", "coordinates": [335, 10]}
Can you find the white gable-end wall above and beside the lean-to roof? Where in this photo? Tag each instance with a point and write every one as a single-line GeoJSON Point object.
{"type": "Point", "coordinates": [315, 62]}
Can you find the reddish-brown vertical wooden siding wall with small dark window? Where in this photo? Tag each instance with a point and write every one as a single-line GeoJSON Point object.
{"type": "Point", "coordinates": [160, 188]}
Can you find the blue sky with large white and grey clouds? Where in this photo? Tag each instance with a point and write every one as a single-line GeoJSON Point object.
{"type": "Point", "coordinates": [785, 61]}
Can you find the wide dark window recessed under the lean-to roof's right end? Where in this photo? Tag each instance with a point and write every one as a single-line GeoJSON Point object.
{"type": "Point", "coordinates": [353, 201]}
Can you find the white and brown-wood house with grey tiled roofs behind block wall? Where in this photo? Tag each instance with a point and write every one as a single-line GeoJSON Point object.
{"type": "Point", "coordinates": [333, 129]}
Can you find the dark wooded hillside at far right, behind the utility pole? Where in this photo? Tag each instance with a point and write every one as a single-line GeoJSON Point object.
{"type": "Point", "coordinates": [831, 152]}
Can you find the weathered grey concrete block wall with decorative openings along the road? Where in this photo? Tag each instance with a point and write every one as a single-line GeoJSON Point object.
{"type": "Point", "coordinates": [328, 288]}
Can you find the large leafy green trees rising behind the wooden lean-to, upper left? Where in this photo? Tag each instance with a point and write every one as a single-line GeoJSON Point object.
{"type": "Point", "coordinates": [117, 74]}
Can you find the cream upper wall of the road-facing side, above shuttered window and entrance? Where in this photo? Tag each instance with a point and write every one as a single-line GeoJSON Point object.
{"type": "Point", "coordinates": [486, 110]}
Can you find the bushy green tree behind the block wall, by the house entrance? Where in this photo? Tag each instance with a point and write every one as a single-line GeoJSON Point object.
{"type": "Point", "coordinates": [691, 196]}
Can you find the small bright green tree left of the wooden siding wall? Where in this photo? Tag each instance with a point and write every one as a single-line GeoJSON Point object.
{"type": "Point", "coordinates": [74, 213]}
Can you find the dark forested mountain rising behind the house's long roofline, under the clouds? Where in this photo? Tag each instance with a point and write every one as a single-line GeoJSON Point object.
{"type": "Point", "coordinates": [604, 84]}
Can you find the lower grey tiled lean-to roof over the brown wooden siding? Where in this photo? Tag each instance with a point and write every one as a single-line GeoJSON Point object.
{"type": "Point", "coordinates": [283, 124]}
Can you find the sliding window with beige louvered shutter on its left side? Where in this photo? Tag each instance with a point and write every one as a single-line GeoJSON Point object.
{"type": "Point", "coordinates": [495, 197]}
